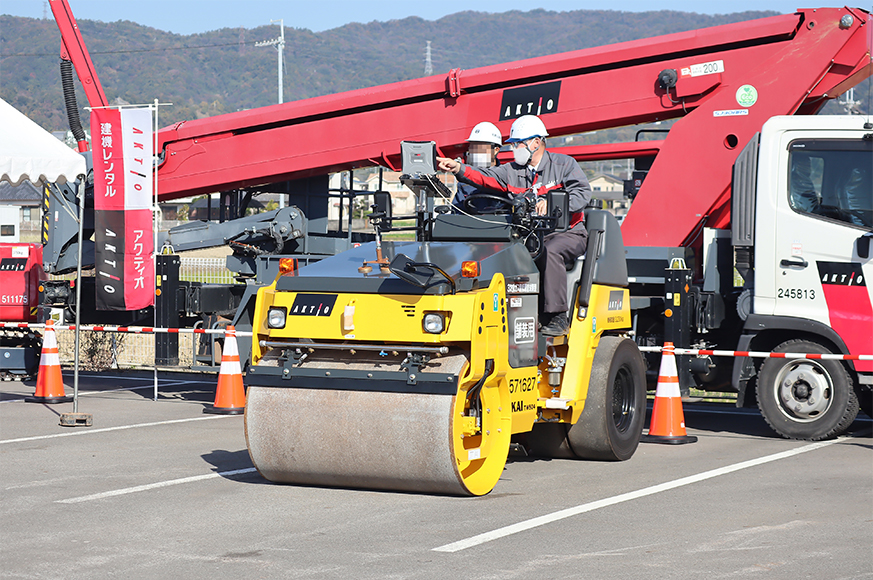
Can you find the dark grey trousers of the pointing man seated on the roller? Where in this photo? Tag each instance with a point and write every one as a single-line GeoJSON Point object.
{"type": "Point", "coordinates": [559, 249]}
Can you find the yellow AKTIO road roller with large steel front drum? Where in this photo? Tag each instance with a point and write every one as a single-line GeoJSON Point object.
{"type": "Point", "coordinates": [416, 366]}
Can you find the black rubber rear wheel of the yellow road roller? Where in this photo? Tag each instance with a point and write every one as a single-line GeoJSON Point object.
{"type": "Point", "coordinates": [615, 409]}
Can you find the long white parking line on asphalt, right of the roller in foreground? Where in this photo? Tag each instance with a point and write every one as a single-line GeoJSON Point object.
{"type": "Point", "coordinates": [581, 509]}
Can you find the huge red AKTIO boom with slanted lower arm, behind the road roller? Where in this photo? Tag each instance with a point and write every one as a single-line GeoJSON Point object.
{"type": "Point", "coordinates": [728, 81]}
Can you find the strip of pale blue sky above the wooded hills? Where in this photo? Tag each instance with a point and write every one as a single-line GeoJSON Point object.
{"type": "Point", "coordinates": [190, 16]}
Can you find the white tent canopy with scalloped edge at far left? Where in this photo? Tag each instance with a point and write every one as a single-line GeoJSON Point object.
{"type": "Point", "coordinates": [29, 152]}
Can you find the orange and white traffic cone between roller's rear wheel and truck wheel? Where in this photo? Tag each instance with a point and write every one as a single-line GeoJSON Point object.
{"type": "Point", "coordinates": [668, 420]}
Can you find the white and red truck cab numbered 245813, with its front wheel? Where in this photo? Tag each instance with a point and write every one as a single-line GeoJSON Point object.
{"type": "Point", "coordinates": [810, 241]}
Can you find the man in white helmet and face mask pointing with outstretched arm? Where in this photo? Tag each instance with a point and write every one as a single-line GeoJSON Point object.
{"type": "Point", "coordinates": [535, 170]}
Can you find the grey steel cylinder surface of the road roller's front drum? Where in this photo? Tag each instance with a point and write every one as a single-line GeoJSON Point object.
{"type": "Point", "coordinates": [361, 439]}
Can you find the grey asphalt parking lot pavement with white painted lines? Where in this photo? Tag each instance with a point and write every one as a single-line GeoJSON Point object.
{"type": "Point", "coordinates": [157, 489]}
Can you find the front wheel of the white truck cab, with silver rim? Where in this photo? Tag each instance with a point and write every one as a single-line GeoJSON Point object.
{"type": "Point", "coordinates": [804, 398]}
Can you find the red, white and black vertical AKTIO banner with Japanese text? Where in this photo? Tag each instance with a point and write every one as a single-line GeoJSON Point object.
{"type": "Point", "coordinates": [123, 195]}
